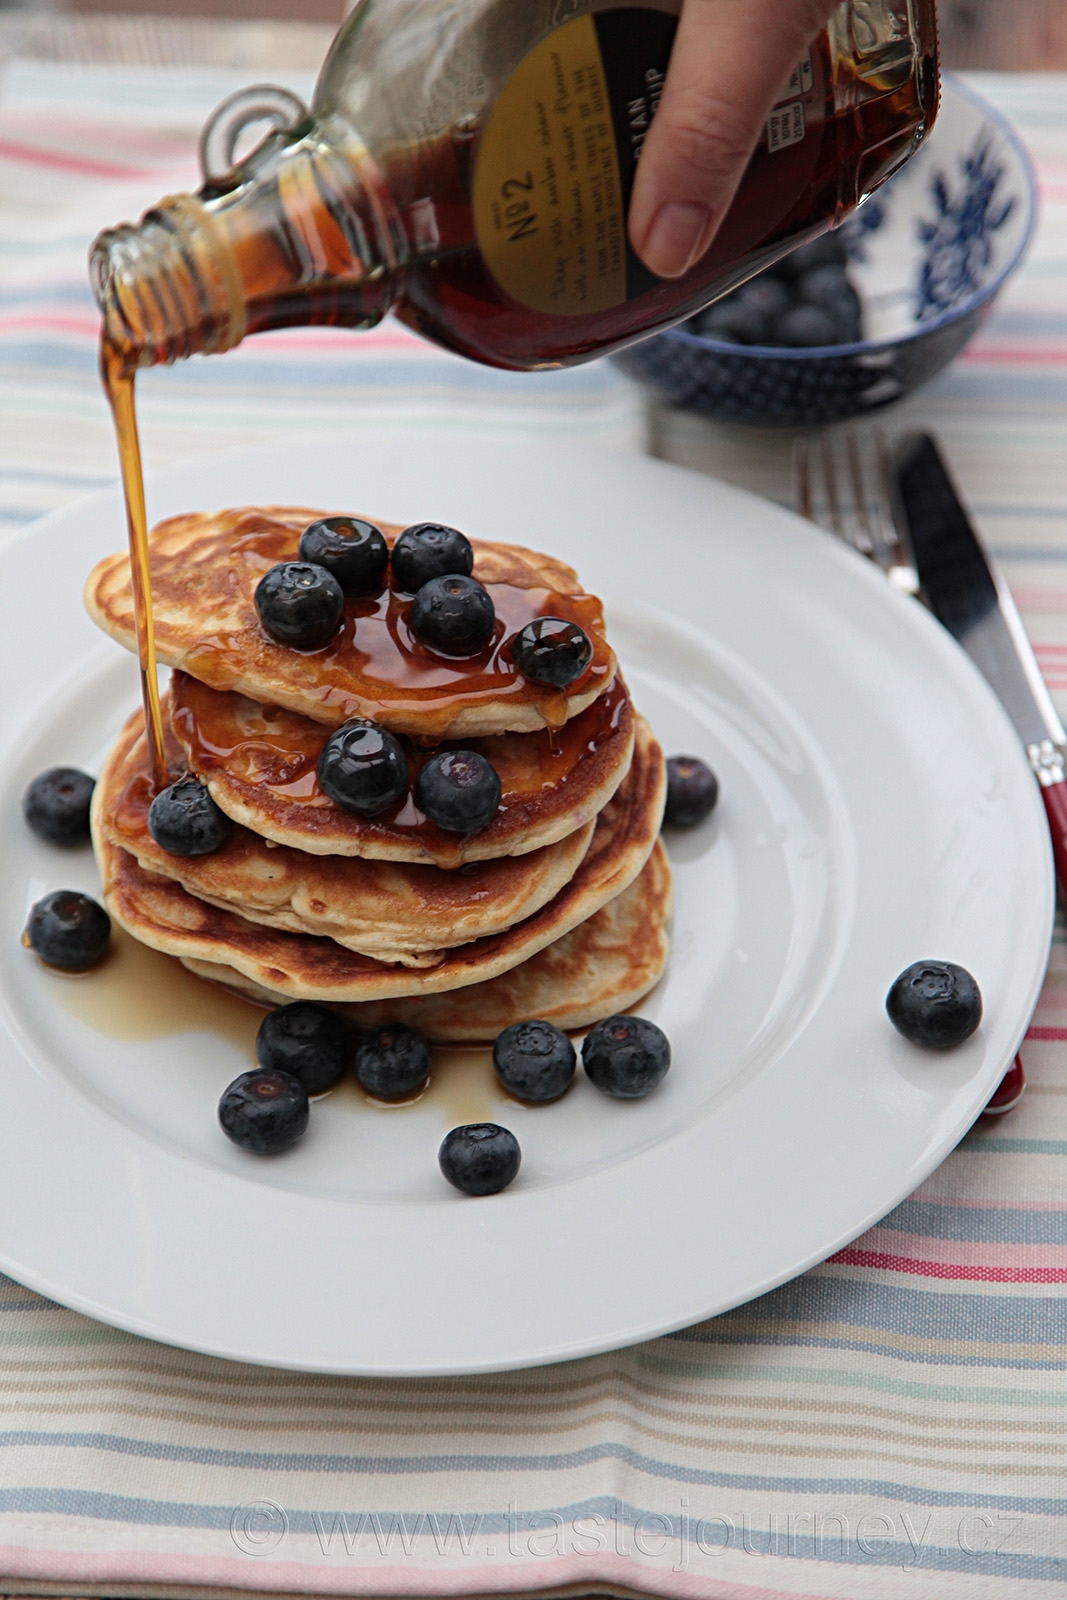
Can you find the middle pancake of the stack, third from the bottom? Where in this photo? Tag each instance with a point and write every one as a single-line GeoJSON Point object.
{"type": "Point", "coordinates": [409, 914]}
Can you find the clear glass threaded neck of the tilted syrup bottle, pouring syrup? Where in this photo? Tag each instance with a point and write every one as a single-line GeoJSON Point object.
{"type": "Point", "coordinates": [308, 236]}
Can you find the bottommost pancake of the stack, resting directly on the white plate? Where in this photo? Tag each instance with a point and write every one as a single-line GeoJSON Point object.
{"type": "Point", "coordinates": [602, 967]}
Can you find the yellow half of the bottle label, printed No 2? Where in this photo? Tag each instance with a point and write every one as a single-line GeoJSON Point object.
{"type": "Point", "coordinates": [548, 201]}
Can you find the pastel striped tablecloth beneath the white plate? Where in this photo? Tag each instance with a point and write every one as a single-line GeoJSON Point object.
{"type": "Point", "coordinates": [893, 1423]}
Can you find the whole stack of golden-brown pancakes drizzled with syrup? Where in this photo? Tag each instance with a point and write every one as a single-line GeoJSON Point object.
{"type": "Point", "coordinates": [557, 910]}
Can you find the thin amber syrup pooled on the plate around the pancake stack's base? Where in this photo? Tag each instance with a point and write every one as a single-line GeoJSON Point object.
{"type": "Point", "coordinates": [142, 994]}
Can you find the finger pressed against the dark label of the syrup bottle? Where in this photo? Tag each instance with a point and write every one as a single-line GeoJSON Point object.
{"type": "Point", "coordinates": [729, 65]}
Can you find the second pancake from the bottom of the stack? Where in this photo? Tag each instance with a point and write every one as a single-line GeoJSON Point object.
{"type": "Point", "coordinates": [302, 967]}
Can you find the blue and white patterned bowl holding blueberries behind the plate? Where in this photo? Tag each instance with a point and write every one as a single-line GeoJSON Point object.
{"type": "Point", "coordinates": [929, 255]}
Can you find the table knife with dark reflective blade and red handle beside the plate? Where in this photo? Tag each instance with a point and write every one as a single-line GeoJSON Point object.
{"type": "Point", "coordinates": [967, 593]}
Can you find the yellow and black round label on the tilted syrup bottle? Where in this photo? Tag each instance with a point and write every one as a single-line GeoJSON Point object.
{"type": "Point", "coordinates": [557, 159]}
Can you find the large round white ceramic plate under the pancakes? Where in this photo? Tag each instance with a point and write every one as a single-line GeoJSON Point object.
{"type": "Point", "coordinates": [876, 809]}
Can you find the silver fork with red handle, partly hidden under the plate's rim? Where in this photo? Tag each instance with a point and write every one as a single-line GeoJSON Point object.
{"type": "Point", "coordinates": [844, 484]}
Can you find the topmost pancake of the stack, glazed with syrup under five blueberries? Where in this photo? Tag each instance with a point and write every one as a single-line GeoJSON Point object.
{"type": "Point", "coordinates": [206, 569]}
